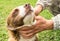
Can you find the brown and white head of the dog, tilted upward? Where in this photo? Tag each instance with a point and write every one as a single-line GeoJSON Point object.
{"type": "Point", "coordinates": [18, 15]}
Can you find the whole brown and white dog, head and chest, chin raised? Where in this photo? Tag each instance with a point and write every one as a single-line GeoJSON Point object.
{"type": "Point", "coordinates": [22, 15]}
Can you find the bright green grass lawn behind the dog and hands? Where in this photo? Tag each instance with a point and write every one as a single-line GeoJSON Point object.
{"type": "Point", "coordinates": [5, 8]}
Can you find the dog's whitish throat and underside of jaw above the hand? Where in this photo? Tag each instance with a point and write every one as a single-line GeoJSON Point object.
{"type": "Point", "coordinates": [29, 19]}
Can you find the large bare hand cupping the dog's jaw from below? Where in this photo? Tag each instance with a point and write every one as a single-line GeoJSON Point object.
{"type": "Point", "coordinates": [41, 24]}
